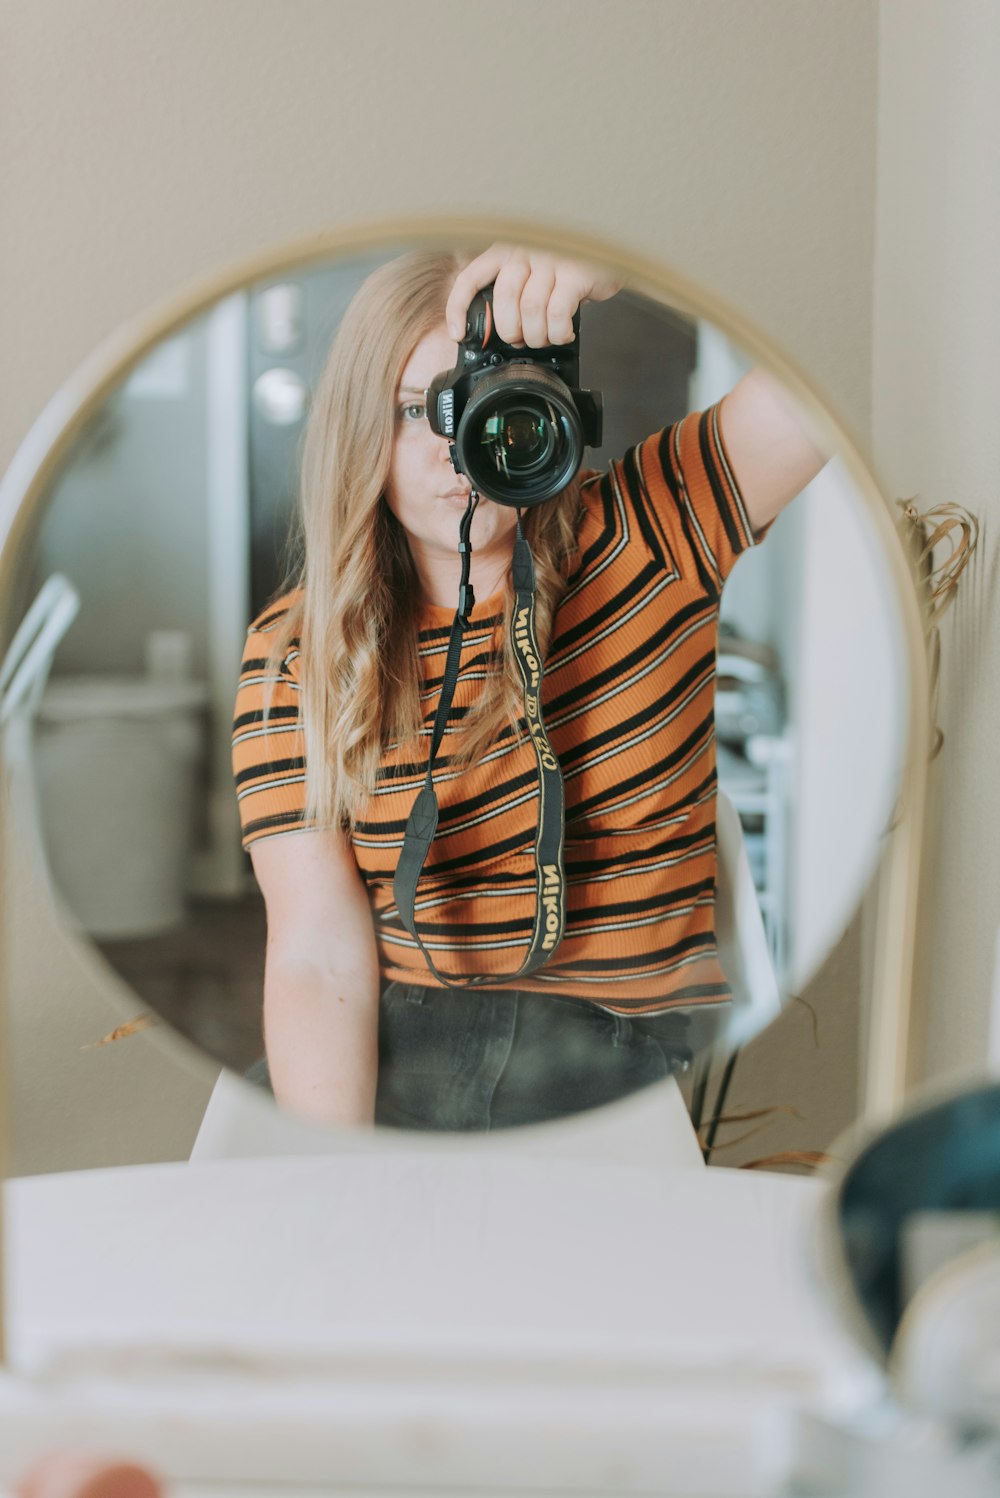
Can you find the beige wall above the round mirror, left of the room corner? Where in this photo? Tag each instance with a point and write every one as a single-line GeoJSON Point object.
{"type": "Point", "coordinates": [144, 145]}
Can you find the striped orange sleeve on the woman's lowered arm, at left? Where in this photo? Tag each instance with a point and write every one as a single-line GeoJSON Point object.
{"type": "Point", "coordinates": [269, 750]}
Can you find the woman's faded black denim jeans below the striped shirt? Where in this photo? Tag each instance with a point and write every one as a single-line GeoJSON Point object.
{"type": "Point", "coordinates": [495, 1058]}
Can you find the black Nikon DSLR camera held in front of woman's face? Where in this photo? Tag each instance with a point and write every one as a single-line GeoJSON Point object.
{"type": "Point", "coordinates": [516, 417]}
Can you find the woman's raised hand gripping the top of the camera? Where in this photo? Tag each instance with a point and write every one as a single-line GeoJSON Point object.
{"type": "Point", "coordinates": [535, 294]}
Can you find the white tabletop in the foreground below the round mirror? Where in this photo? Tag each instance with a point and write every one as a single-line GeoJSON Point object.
{"type": "Point", "coordinates": [442, 1320]}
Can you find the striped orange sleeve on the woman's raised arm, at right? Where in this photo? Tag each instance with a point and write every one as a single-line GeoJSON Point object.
{"type": "Point", "coordinates": [694, 494]}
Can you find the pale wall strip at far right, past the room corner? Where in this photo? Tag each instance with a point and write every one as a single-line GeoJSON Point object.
{"type": "Point", "coordinates": [936, 408]}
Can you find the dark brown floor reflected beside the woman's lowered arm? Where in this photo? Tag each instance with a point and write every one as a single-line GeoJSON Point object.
{"type": "Point", "coordinates": [204, 979]}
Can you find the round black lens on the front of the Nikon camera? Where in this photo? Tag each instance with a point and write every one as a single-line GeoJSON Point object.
{"type": "Point", "coordinates": [520, 440]}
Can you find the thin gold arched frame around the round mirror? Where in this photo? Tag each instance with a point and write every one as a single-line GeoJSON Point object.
{"type": "Point", "coordinates": [41, 456]}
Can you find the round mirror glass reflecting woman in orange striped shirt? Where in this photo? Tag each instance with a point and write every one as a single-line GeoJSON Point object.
{"type": "Point", "coordinates": [688, 919]}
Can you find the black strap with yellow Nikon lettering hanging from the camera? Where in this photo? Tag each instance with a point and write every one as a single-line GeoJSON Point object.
{"type": "Point", "coordinates": [550, 880]}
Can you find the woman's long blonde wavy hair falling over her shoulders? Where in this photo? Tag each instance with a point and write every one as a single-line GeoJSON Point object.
{"type": "Point", "coordinates": [357, 616]}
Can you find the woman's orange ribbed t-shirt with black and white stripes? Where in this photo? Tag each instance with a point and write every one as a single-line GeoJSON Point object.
{"type": "Point", "coordinates": [629, 708]}
